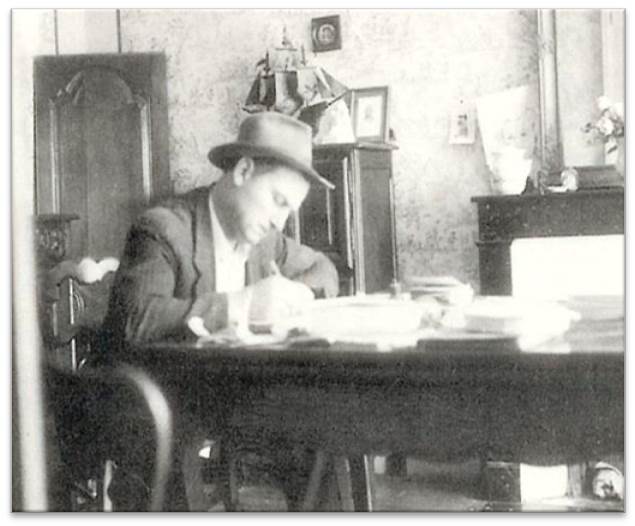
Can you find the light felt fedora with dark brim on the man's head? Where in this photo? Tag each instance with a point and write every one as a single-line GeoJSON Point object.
{"type": "Point", "coordinates": [275, 136]}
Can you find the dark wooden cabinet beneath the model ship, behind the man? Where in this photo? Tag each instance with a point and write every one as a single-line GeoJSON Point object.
{"type": "Point", "coordinates": [353, 224]}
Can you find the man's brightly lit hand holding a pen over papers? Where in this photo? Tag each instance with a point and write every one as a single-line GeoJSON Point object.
{"type": "Point", "coordinates": [277, 297]}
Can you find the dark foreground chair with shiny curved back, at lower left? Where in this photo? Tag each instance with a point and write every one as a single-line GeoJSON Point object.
{"type": "Point", "coordinates": [98, 412]}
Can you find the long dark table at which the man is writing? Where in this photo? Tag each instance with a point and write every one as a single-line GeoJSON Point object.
{"type": "Point", "coordinates": [443, 400]}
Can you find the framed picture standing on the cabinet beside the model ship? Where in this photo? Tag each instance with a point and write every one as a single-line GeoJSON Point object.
{"type": "Point", "coordinates": [369, 113]}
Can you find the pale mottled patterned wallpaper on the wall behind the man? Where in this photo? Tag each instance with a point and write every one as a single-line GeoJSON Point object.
{"type": "Point", "coordinates": [430, 59]}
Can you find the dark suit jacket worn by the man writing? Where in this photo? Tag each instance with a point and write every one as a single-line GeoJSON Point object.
{"type": "Point", "coordinates": [167, 272]}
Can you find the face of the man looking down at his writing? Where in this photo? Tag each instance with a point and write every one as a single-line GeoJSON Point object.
{"type": "Point", "coordinates": [264, 201]}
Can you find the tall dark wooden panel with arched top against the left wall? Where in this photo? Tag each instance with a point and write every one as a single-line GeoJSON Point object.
{"type": "Point", "coordinates": [98, 153]}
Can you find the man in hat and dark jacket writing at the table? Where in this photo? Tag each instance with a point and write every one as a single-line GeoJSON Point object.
{"type": "Point", "coordinates": [216, 257]}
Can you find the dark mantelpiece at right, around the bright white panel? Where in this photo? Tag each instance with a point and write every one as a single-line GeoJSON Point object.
{"type": "Point", "coordinates": [503, 218]}
